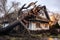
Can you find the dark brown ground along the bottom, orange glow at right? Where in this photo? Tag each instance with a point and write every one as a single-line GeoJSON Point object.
{"type": "Point", "coordinates": [33, 37]}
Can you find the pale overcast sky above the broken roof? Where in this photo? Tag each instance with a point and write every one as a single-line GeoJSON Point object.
{"type": "Point", "coordinates": [52, 5]}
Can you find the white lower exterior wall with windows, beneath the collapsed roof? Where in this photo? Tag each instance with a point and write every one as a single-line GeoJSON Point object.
{"type": "Point", "coordinates": [33, 26]}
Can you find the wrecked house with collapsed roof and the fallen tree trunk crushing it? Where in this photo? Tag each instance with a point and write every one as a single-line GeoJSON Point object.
{"type": "Point", "coordinates": [33, 19]}
